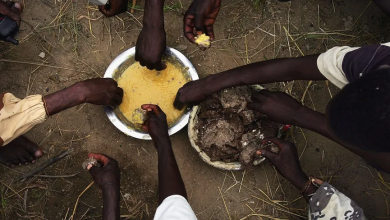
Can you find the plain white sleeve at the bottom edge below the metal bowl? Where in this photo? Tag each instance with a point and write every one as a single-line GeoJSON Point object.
{"type": "Point", "coordinates": [175, 207]}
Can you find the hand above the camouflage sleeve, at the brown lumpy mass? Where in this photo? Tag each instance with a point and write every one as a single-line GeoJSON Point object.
{"type": "Point", "coordinates": [286, 161]}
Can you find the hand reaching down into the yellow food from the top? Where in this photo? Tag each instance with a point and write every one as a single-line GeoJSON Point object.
{"type": "Point", "coordinates": [151, 45]}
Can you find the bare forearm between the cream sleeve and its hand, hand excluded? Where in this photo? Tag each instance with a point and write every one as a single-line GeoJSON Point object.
{"type": "Point", "coordinates": [63, 99]}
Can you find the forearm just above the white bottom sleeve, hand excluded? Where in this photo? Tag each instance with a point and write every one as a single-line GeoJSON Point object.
{"type": "Point", "coordinates": [170, 181]}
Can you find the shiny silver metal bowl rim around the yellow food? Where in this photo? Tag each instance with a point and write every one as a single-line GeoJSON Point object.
{"type": "Point", "coordinates": [120, 64]}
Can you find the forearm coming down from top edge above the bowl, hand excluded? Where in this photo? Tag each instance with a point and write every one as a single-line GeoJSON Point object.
{"type": "Point", "coordinates": [153, 13]}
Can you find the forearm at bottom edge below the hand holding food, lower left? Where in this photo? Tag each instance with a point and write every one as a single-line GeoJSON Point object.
{"type": "Point", "coordinates": [111, 207]}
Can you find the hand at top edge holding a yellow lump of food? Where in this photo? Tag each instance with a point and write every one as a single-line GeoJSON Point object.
{"type": "Point", "coordinates": [200, 18]}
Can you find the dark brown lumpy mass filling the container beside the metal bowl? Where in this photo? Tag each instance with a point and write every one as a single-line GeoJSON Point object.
{"type": "Point", "coordinates": [225, 128]}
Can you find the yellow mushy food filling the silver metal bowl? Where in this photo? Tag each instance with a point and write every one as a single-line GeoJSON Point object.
{"type": "Point", "coordinates": [144, 86]}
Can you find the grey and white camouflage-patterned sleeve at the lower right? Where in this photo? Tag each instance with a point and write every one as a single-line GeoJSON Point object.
{"type": "Point", "coordinates": [329, 203]}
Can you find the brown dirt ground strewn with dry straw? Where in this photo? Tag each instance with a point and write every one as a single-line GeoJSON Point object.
{"type": "Point", "coordinates": [79, 44]}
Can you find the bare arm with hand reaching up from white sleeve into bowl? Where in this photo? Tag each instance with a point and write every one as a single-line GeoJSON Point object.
{"type": "Point", "coordinates": [170, 181]}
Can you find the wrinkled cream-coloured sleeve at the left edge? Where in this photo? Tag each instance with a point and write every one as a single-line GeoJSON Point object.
{"type": "Point", "coordinates": [17, 116]}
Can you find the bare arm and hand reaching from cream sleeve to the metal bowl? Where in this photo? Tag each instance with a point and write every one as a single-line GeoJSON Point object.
{"type": "Point", "coordinates": [95, 91]}
